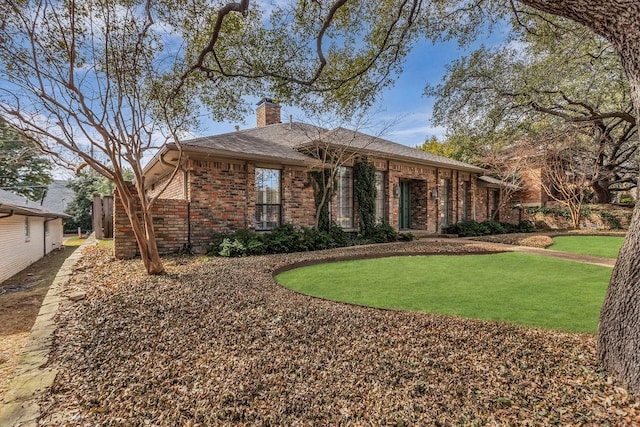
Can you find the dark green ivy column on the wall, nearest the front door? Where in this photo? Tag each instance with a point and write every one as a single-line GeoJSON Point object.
{"type": "Point", "coordinates": [364, 174]}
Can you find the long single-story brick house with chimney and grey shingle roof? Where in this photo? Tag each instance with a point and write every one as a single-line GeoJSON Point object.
{"type": "Point", "coordinates": [258, 178]}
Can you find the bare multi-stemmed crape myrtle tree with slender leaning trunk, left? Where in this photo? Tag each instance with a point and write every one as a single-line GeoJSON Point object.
{"type": "Point", "coordinates": [86, 81]}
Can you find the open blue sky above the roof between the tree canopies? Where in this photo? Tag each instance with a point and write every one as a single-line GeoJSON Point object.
{"type": "Point", "coordinates": [402, 104]}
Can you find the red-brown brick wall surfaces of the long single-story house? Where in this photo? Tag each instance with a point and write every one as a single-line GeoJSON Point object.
{"type": "Point", "coordinates": [220, 197]}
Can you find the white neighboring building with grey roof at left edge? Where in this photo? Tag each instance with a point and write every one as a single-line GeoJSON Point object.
{"type": "Point", "coordinates": [27, 233]}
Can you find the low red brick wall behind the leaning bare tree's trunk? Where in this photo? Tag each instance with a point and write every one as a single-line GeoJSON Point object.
{"type": "Point", "coordinates": [170, 224]}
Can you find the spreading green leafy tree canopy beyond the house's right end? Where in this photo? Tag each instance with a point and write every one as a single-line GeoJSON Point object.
{"type": "Point", "coordinates": [551, 72]}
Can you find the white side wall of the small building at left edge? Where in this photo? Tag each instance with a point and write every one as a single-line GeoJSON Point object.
{"type": "Point", "coordinates": [16, 251]}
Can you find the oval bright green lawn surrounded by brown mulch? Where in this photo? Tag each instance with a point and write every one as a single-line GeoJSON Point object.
{"type": "Point", "coordinates": [510, 287]}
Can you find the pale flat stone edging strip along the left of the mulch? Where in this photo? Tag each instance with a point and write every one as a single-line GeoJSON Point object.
{"type": "Point", "coordinates": [32, 378]}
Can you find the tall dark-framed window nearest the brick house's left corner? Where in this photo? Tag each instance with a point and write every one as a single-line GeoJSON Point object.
{"type": "Point", "coordinates": [268, 200]}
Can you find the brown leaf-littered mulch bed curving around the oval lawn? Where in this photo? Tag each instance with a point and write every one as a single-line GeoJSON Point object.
{"type": "Point", "coordinates": [218, 342]}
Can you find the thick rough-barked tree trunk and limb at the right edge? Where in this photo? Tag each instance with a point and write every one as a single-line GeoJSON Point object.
{"type": "Point", "coordinates": [619, 328]}
